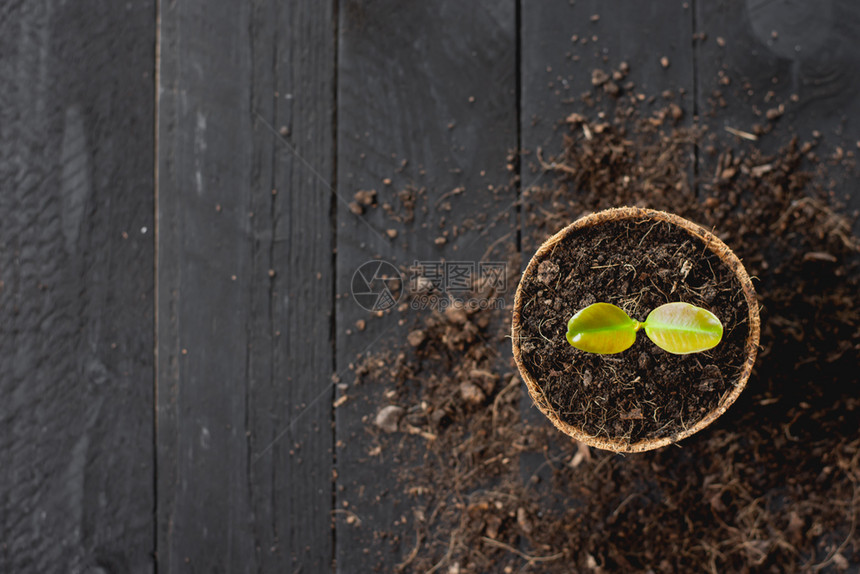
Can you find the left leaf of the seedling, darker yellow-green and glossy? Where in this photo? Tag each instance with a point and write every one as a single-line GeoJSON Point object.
{"type": "Point", "coordinates": [602, 328]}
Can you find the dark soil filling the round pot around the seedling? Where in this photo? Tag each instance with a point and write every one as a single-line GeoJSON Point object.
{"type": "Point", "coordinates": [644, 392]}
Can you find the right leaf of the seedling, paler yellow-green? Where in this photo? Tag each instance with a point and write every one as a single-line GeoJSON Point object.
{"type": "Point", "coordinates": [681, 328]}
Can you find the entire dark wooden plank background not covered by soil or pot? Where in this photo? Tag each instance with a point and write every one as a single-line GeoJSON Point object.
{"type": "Point", "coordinates": [176, 248]}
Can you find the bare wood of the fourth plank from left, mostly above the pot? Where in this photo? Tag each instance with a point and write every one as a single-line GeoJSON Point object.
{"type": "Point", "coordinates": [562, 44]}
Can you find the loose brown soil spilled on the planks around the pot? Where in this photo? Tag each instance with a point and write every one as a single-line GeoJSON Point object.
{"type": "Point", "coordinates": [486, 484]}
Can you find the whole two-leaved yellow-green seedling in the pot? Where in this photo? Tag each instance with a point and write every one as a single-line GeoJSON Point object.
{"type": "Point", "coordinates": [678, 328]}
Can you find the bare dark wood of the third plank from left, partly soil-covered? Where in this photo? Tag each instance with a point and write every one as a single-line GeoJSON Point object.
{"type": "Point", "coordinates": [432, 84]}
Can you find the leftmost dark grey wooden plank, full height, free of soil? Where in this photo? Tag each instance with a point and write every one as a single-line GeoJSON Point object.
{"type": "Point", "coordinates": [76, 286]}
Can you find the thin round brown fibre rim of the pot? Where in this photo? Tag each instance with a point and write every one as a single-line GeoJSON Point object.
{"type": "Point", "coordinates": [713, 243]}
